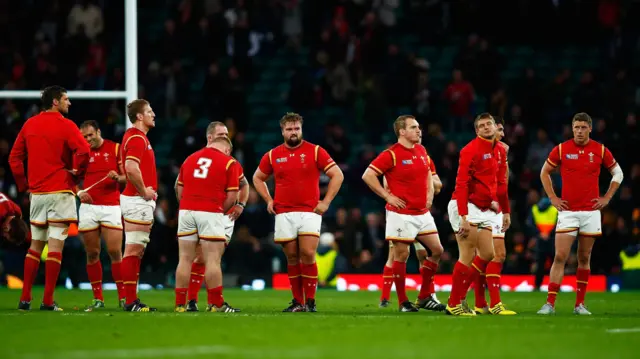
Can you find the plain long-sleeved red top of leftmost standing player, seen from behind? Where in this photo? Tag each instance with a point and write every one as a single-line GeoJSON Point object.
{"type": "Point", "coordinates": [49, 155]}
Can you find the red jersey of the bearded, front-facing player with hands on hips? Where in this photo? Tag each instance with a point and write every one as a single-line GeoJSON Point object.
{"type": "Point", "coordinates": [296, 173]}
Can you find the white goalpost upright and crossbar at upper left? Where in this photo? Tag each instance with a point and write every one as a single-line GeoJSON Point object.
{"type": "Point", "coordinates": [131, 67]}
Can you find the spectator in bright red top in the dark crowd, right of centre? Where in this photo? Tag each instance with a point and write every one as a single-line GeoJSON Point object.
{"type": "Point", "coordinates": [460, 95]}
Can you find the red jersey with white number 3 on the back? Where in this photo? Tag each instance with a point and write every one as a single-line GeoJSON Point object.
{"type": "Point", "coordinates": [204, 176]}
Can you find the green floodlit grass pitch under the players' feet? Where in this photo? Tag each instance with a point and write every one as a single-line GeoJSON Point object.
{"type": "Point", "coordinates": [347, 325]}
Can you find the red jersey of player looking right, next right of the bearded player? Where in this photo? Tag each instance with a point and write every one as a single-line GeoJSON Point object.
{"type": "Point", "coordinates": [406, 171]}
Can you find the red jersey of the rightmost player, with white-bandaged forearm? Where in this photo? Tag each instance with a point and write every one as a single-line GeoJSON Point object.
{"type": "Point", "coordinates": [580, 171]}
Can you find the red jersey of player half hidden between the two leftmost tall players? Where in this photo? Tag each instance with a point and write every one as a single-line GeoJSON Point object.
{"type": "Point", "coordinates": [102, 160]}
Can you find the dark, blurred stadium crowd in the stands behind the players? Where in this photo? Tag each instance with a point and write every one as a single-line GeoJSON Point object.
{"type": "Point", "coordinates": [355, 64]}
